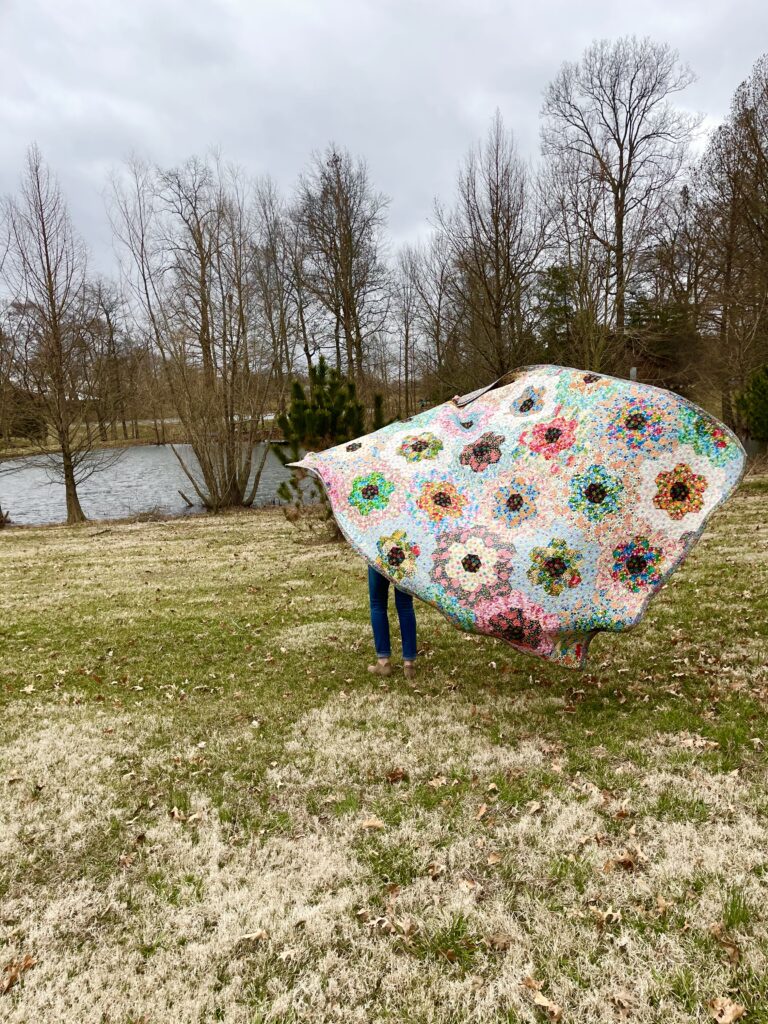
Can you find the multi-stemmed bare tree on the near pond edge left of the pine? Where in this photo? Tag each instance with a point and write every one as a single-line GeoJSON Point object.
{"type": "Point", "coordinates": [191, 237]}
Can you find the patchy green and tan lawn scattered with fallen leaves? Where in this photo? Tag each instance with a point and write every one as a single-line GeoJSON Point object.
{"type": "Point", "coordinates": [211, 813]}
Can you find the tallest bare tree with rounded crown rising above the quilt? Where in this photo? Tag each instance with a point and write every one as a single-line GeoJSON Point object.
{"type": "Point", "coordinates": [611, 118]}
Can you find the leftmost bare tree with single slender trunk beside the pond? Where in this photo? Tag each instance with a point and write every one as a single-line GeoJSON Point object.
{"type": "Point", "coordinates": [45, 274]}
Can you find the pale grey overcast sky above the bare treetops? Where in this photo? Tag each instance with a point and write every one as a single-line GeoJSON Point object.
{"type": "Point", "coordinates": [408, 84]}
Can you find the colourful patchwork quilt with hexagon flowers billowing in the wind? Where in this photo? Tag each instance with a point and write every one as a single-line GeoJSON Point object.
{"type": "Point", "coordinates": [541, 510]}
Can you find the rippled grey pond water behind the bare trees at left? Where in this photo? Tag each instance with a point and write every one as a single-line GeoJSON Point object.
{"type": "Point", "coordinates": [145, 479]}
